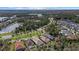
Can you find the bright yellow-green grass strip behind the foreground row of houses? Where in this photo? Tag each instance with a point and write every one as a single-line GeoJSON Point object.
{"type": "Point", "coordinates": [21, 36]}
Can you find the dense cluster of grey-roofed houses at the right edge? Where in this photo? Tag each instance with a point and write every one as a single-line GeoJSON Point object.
{"type": "Point", "coordinates": [68, 28]}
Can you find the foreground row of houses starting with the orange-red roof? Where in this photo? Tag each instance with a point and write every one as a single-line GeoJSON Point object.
{"type": "Point", "coordinates": [27, 44]}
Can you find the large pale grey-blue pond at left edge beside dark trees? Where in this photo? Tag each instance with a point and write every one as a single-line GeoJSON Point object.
{"type": "Point", "coordinates": [9, 28]}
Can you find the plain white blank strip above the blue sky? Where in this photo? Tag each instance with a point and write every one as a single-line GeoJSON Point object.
{"type": "Point", "coordinates": [39, 3]}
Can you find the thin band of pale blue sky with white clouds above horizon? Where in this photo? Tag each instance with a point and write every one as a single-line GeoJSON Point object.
{"type": "Point", "coordinates": [39, 8]}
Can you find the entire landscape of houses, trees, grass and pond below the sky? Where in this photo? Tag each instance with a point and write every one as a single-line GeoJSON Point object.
{"type": "Point", "coordinates": [39, 30]}
